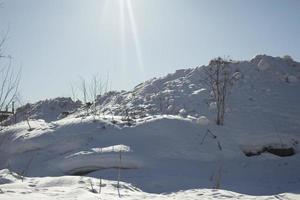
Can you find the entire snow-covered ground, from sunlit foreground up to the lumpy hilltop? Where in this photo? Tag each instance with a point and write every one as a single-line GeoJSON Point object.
{"type": "Point", "coordinates": [171, 144]}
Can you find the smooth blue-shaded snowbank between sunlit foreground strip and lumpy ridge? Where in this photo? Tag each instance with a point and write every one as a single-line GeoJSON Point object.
{"type": "Point", "coordinates": [160, 154]}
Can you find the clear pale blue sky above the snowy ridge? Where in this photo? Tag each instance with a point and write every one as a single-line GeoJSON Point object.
{"type": "Point", "coordinates": [56, 41]}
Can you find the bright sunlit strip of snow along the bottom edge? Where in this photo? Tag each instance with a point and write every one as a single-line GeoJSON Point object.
{"type": "Point", "coordinates": [76, 187]}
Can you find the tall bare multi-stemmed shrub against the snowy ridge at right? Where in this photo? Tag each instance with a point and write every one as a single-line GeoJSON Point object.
{"type": "Point", "coordinates": [219, 77]}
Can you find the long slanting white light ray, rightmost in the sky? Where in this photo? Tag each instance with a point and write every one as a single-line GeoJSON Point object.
{"type": "Point", "coordinates": [135, 36]}
